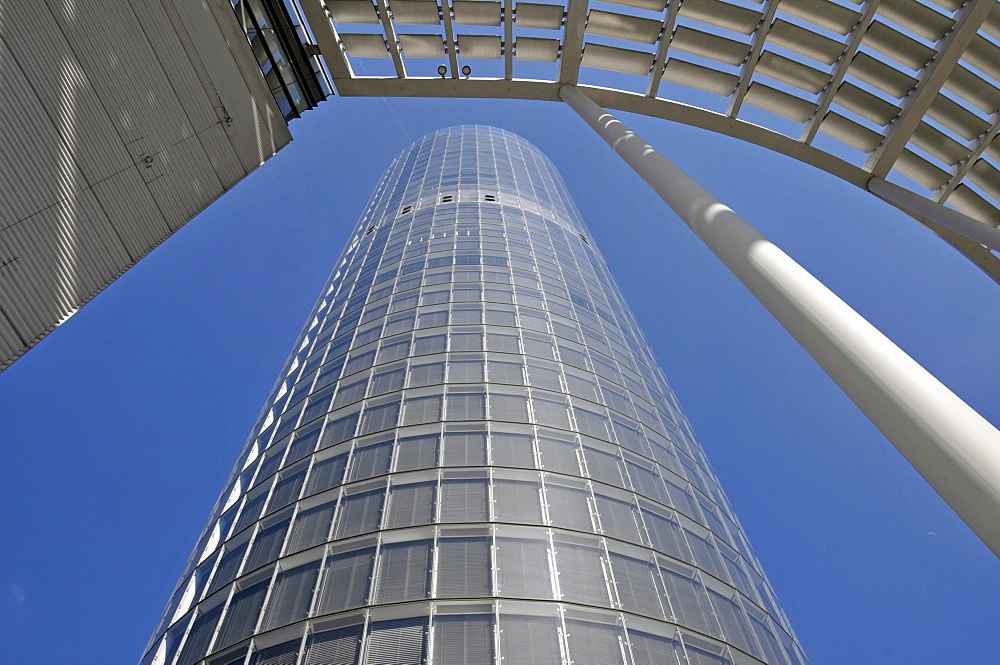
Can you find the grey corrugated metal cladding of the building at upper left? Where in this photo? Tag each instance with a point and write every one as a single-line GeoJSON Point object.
{"type": "Point", "coordinates": [120, 120]}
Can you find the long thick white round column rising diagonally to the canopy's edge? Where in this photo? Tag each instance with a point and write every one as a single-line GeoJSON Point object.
{"type": "Point", "coordinates": [954, 448]}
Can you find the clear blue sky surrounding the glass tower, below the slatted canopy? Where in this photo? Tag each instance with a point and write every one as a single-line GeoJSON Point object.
{"type": "Point", "coordinates": [120, 428]}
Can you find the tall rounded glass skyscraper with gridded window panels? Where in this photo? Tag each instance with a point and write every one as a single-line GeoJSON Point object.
{"type": "Point", "coordinates": [472, 457]}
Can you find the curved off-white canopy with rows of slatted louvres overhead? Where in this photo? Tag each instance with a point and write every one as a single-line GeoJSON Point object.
{"type": "Point", "coordinates": [900, 90]}
